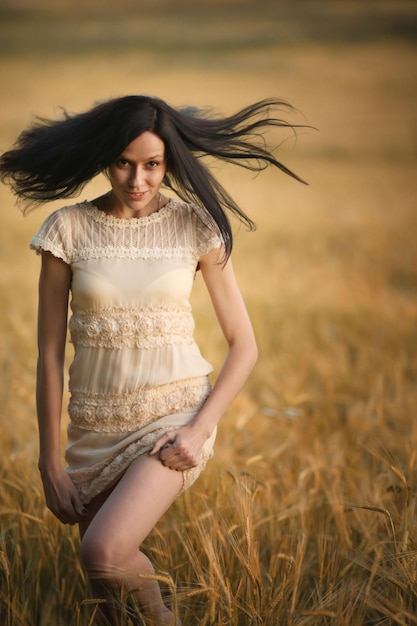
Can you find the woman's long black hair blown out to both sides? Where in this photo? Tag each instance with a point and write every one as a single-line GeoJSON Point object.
{"type": "Point", "coordinates": [55, 159]}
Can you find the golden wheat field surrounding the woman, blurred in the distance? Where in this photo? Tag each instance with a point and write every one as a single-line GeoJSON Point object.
{"type": "Point", "coordinates": [306, 516]}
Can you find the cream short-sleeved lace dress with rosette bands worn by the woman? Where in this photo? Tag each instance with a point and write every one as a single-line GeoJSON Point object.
{"type": "Point", "coordinates": [137, 371]}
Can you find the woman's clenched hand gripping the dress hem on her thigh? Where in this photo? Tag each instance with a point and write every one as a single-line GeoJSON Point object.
{"type": "Point", "coordinates": [180, 449]}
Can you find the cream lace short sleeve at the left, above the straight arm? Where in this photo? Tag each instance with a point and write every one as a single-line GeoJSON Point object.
{"type": "Point", "coordinates": [53, 236]}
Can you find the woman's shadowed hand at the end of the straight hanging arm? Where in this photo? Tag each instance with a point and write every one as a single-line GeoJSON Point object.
{"type": "Point", "coordinates": [62, 497]}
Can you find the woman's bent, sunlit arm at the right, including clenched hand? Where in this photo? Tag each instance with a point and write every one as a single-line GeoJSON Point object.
{"type": "Point", "coordinates": [240, 359]}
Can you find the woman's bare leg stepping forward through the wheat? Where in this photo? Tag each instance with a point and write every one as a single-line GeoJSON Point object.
{"type": "Point", "coordinates": [116, 527]}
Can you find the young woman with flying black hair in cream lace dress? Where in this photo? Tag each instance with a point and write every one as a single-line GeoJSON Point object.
{"type": "Point", "coordinates": [143, 415]}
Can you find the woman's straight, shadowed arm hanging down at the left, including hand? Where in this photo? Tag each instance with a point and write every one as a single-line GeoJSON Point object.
{"type": "Point", "coordinates": [54, 285]}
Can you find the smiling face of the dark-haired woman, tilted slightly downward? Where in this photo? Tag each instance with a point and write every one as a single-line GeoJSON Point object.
{"type": "Point", "coordinates": [136, 177]}
